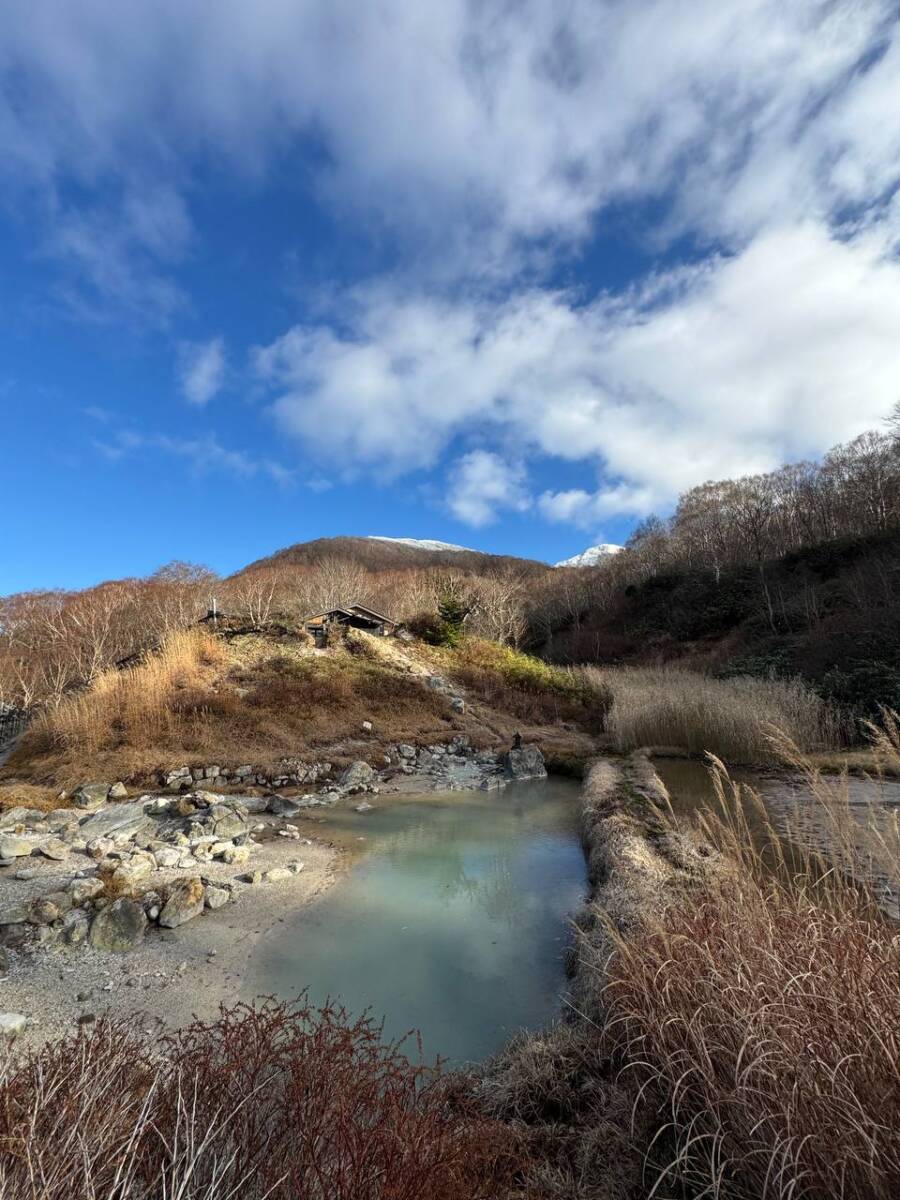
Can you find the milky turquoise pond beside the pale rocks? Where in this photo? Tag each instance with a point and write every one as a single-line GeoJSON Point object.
{"type": "Point", "coordinates": [454, 921]}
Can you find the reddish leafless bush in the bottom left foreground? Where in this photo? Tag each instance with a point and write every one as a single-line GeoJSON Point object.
{"type": "Point", "coordinates": [278, 1101]}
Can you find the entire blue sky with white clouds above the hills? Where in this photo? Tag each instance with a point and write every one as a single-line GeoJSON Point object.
{"type": "Point", "coordinates": [505, 274]}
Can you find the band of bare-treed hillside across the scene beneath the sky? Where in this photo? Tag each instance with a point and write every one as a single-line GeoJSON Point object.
{"type": "Point", "coordinates": [795, 572]}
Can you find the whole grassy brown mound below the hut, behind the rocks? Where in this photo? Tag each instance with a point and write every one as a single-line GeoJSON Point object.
{"type": "Point", "coordinates": [263, 697]}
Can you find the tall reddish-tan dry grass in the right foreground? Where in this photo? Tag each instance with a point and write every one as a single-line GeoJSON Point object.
{"type": "Point", "coordinates": [766, 1010]}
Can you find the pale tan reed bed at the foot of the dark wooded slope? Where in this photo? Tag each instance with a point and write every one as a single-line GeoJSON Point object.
{"type": "Point", "coordinates": [733, 718]}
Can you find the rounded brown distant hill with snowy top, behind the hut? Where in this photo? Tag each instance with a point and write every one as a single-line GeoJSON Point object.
{"type": "Point", "coordinates": [389, 555]}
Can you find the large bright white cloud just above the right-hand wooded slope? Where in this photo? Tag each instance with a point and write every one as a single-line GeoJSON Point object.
{"type": "Point", "coordinates": [712, 371]}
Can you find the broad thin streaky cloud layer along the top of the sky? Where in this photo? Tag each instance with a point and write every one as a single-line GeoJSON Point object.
{"type": "Point", "coordinates": [471, 130]}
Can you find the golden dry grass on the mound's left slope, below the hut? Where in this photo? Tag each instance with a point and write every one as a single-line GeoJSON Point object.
{"type": "Point", "coordinates": [203, 700]}
